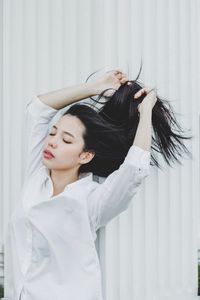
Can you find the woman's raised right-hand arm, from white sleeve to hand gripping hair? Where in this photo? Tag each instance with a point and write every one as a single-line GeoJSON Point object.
{"type": "Point", "coordinates": [114, 195]}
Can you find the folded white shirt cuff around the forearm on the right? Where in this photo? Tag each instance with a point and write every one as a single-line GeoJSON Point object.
{"type": "Point", "coordinates": [138, 157]}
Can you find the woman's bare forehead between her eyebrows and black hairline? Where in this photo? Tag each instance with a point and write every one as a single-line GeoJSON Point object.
{"type": "Point", "coordinates": [70, 124]}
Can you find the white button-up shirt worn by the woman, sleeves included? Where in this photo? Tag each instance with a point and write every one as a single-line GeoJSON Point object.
{"type": "Point", "coordinates": [50, 251]}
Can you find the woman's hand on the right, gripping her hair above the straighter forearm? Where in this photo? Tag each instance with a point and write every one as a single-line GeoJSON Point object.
{"type": "Point", "coordinates": [149, 100]}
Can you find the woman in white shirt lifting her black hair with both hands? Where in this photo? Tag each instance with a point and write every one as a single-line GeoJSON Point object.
{"type": "Point", "coordinates": [50, 247]}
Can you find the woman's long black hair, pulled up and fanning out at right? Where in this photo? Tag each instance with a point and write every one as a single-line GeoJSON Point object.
{"type": "Point", "coordinates": [110, 130]}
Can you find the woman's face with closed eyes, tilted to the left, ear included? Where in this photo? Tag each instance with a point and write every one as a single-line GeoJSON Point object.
{"type": "Point", "coordinates": [65, 142]}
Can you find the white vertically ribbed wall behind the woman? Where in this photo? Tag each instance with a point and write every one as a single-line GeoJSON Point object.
{"type": "Point", "coordinates": [149, 252]}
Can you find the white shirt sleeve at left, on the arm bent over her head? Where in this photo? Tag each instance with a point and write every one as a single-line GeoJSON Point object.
{"type": "Point", "coordinates": [38, 116]}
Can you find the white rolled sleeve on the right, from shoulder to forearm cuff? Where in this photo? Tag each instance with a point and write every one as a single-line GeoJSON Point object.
{"type": "Point", "coordinates": [114, 195]}
